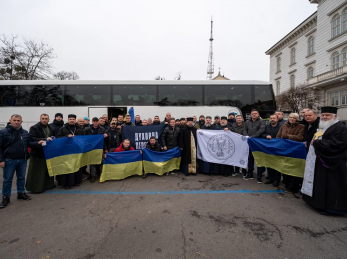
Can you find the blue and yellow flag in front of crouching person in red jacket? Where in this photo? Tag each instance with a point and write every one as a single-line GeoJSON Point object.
{"type": "Point", "coordinates": [120, 165]}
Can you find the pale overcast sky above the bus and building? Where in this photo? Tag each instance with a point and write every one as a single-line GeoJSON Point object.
{"type": "Point", "coordinates": [140, 39]}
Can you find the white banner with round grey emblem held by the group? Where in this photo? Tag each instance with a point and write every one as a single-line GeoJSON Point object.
{"type": "Point", "coordinates": [222, 147]}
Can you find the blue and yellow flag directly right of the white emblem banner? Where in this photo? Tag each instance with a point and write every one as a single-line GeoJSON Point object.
{"type": "Point", "coordinates": [283, 155]}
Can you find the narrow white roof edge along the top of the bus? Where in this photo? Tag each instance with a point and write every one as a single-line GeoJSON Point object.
{"type": "Point", "coordinates": [133, 82]}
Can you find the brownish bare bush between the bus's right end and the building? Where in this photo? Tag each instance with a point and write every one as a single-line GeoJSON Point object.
{"type": "Point", "coordinates": [298, 98]}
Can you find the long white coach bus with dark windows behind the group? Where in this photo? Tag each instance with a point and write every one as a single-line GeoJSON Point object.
{"type": "Point", "coordinates": [93, 98]}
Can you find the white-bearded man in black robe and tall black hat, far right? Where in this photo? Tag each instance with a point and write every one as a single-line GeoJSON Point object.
{"type": "Point", "coordinates": [329, 190]}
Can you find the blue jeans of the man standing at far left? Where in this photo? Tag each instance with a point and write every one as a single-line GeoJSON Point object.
{"type": "Point", "coordinates": [11, 166]}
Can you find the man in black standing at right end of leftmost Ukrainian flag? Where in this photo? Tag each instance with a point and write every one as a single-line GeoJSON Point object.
{"type": "Point", "coordinates": [97, 129]}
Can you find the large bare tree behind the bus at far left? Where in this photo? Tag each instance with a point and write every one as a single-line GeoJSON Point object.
{"type": "Point", "coordinates": [29, 60]}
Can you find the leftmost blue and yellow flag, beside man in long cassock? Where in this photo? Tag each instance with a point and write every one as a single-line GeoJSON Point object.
{"type": "Point", "coordinates": [68, 155]}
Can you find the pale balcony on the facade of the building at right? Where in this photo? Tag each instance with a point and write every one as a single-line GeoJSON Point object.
{"type": "Point", "coordinates": [332, 76]}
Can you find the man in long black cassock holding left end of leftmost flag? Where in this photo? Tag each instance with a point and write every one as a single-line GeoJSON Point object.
{"type": "Point", "coordinates": [38, 179]}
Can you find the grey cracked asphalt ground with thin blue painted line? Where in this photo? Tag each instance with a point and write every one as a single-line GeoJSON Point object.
{"type": "Point", "coordinates": [169, 217]}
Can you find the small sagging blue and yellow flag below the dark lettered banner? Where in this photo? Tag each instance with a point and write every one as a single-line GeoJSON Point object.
{"type": "Point", "coordinates": [161, 162]}
